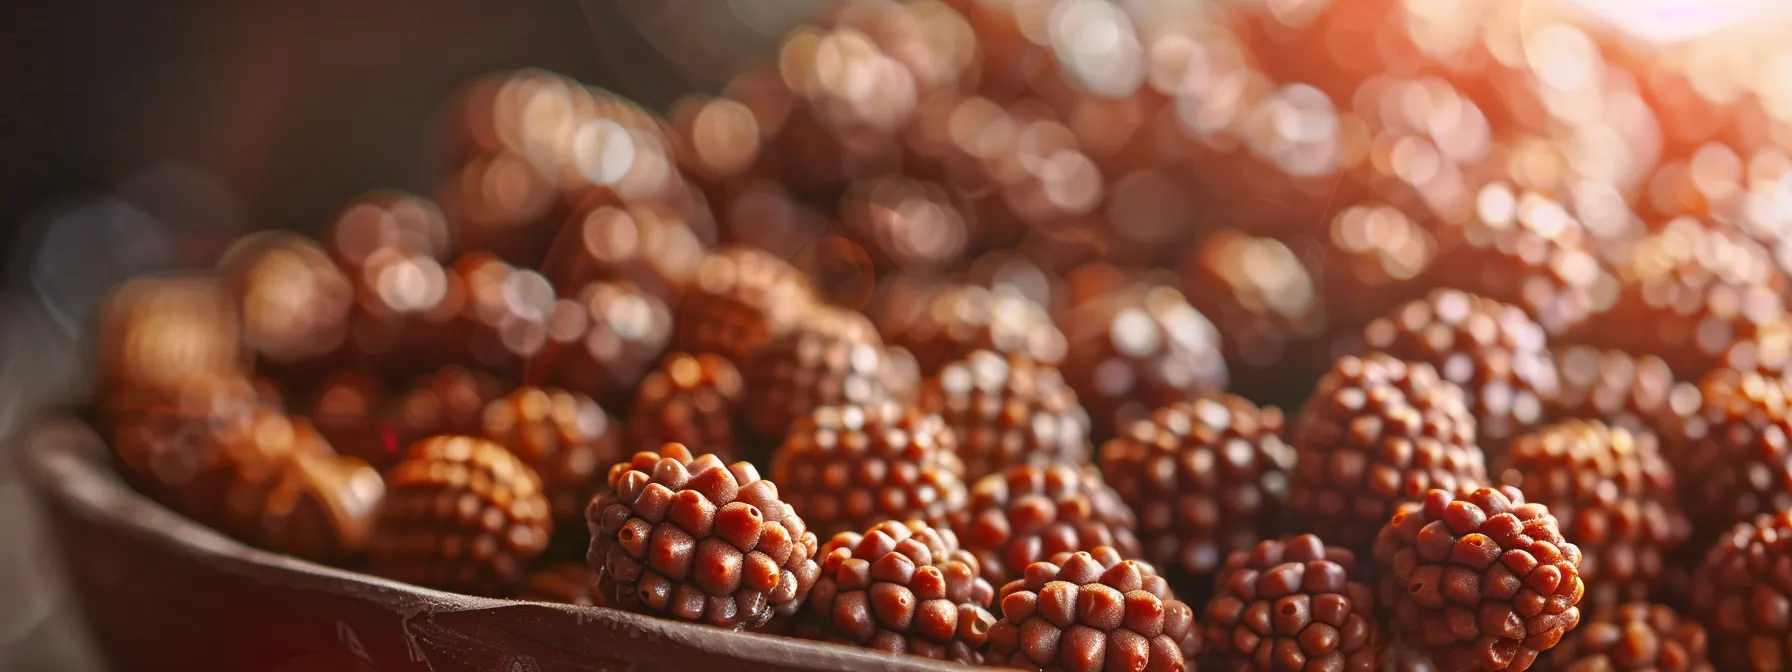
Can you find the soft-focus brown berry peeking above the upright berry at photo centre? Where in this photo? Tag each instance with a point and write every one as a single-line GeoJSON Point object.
{"type": "Point", "coordinates": [943, 323]}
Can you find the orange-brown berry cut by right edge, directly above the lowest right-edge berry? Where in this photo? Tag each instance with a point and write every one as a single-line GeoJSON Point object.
{"type": "Point", "coordinates": [1736, 461]}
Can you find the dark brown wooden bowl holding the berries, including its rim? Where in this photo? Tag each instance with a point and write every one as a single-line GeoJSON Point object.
{"type": "Point", "coordinates": [162, 592]}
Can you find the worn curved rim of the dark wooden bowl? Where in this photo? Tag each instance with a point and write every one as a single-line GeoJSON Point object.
{"type": "Point", "coordinates": [69, 469]}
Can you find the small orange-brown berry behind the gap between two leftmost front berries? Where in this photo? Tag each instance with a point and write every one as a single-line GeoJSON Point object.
{"type": "Point", "coordinates": [565, 438]}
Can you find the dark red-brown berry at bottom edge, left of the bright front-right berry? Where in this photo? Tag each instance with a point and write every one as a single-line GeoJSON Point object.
{"type": "Point", "coordinates": [1288, 601]}
